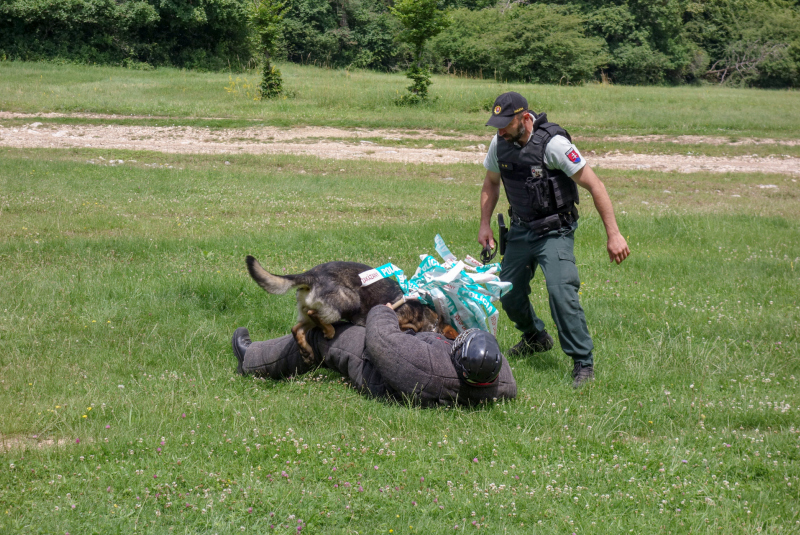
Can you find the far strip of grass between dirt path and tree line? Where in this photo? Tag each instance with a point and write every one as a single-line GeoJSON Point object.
{"type": "Point", "coordinates": [365, 99]}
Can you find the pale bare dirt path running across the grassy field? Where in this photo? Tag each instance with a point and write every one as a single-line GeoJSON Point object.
{"type": "Point", "coordinates": [344, 144]}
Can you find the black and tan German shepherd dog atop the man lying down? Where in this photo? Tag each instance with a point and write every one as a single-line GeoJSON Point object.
{"type": "Point", "coordinates": [332, 292]}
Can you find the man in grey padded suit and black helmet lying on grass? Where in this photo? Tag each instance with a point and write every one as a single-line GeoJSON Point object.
{"type": "Point", "coordinates": [382, 361]}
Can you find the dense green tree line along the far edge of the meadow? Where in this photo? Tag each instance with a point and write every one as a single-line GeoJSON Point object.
{"type": "Point", "coordinates": [743, 42]}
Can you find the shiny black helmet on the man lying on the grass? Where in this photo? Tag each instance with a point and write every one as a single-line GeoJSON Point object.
{"type": "Point", "coordinates": [477, 357]}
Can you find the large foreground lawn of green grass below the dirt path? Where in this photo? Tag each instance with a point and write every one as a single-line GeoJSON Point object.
{"type": "Point", "coordinates": [122, 285]}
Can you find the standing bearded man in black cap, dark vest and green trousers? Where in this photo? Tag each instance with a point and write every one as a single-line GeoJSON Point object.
{"type": "Point", "coordinates": [539, 167]}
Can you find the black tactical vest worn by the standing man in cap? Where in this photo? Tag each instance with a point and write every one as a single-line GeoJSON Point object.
{"type": "Point", "coordinates": [534, 191]}
